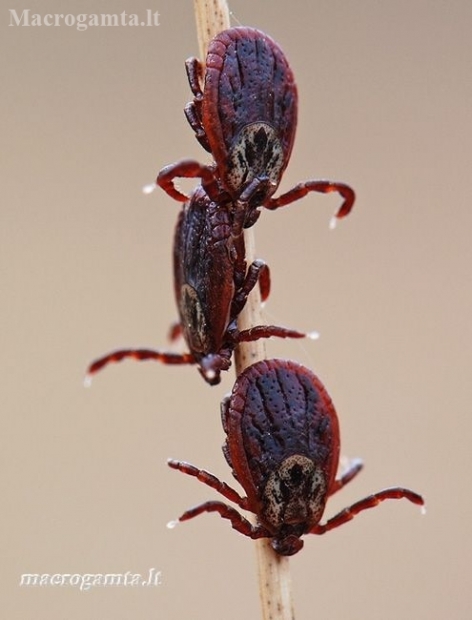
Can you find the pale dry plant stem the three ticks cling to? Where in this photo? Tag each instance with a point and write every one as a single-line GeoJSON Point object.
{"type": "Point", "coordinates": [212, 16]}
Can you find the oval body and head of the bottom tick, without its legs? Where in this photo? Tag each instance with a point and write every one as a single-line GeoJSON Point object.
{"type": "Point", "coordinates": [280, 418]}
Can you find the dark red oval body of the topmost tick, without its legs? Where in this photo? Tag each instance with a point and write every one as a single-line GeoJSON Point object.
{"type": "Point", "coordinates": [248, 81]}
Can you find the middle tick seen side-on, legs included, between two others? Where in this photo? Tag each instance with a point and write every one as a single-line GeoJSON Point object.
{"type": "Point", "coordinates": [211, 283]}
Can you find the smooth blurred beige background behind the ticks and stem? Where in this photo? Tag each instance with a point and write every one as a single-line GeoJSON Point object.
{"type": "Point", "coordinates": [87, 119]}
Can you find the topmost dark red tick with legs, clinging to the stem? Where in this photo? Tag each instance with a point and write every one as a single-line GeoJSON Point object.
{"type": "Point", "coordinates": [246, 117]}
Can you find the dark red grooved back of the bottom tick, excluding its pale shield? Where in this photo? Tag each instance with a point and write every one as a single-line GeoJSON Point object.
{"type": "Point", "coordinates": [279, 409]}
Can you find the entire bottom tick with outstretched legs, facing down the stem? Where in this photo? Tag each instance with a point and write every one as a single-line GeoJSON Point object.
{"type": "Point", "coordinates": [282, 443]}
